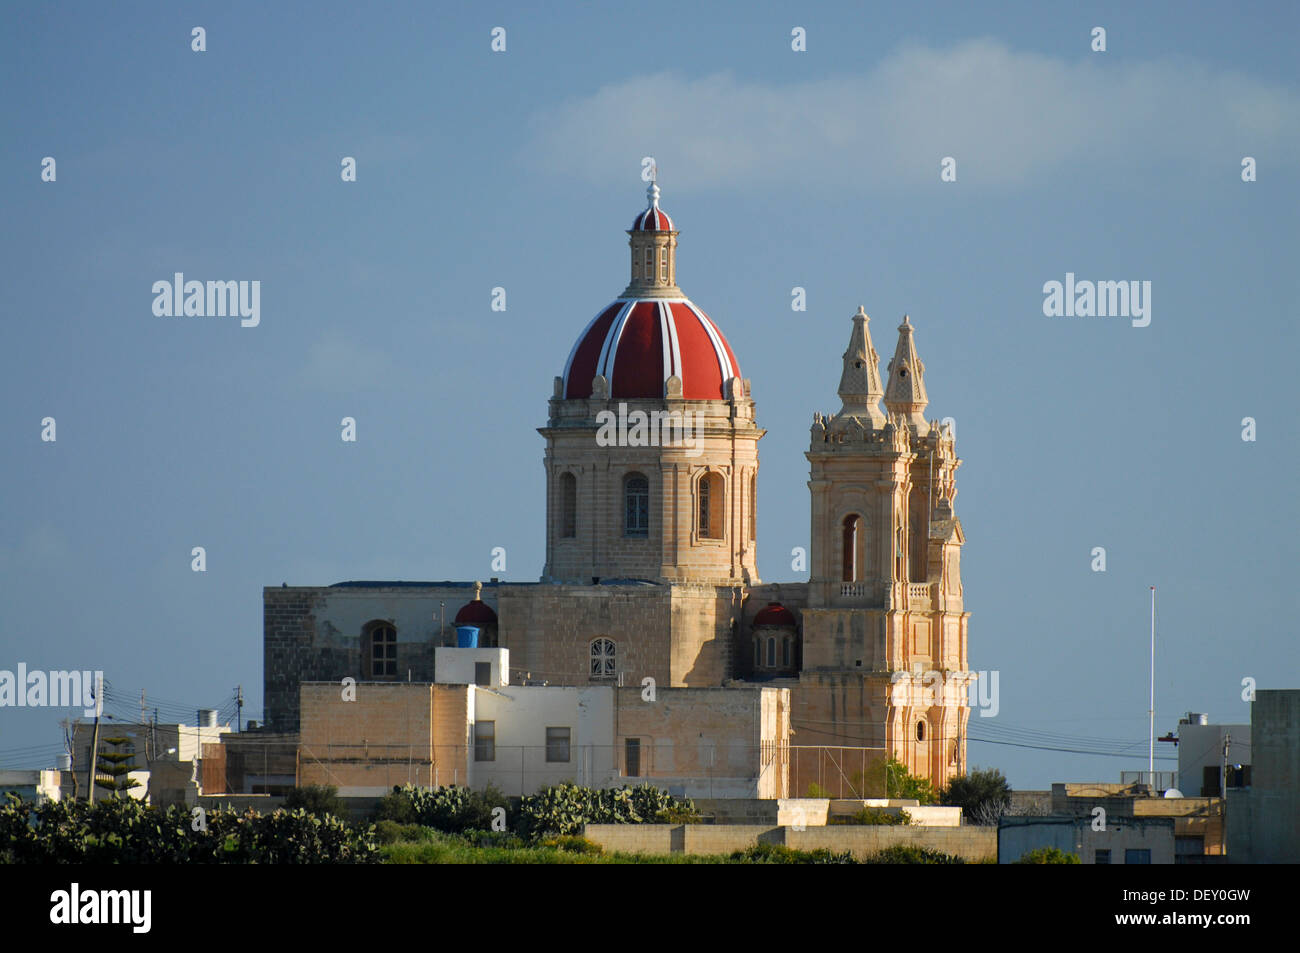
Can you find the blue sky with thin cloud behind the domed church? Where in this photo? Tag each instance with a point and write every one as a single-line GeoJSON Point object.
{"type": "Point", "coordinates": [521, 170]}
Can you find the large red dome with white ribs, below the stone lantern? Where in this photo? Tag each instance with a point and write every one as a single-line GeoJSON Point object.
{"type": "Point", "coordinates": [638, 344]}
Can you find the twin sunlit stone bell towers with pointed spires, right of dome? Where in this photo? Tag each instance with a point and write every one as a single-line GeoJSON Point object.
{"type": "Point", "coordinates": [886, 612]}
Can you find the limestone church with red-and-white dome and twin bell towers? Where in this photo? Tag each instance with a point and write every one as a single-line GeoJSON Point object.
{"type": "Point", "coordinates": [652, 566]}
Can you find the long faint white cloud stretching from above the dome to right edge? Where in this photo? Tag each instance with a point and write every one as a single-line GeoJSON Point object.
{"type": "Point", "coordinates": [1008, 118]}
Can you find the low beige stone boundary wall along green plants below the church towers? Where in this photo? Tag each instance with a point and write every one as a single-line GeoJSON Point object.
{"type": "Point", "coordinates": [974, 844]}
